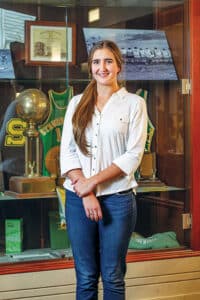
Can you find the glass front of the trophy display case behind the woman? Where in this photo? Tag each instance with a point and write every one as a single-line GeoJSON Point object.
{"type": "Point", "coordinates": [151, 35]}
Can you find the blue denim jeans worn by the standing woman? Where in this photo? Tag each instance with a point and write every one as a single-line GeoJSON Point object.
{"type": "Point", "coordinates": [100, 248]}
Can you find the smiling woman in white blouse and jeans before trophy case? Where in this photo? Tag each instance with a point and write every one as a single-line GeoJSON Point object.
{"type": "Point", "coordinates": [103, 140]}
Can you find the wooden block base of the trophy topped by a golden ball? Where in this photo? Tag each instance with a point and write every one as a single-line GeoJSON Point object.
{"type": "Point", "coordinates": [32, 185]}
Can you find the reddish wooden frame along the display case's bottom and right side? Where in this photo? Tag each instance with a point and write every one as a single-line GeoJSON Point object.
{"type": "Point", "coordinates": [194, 113]}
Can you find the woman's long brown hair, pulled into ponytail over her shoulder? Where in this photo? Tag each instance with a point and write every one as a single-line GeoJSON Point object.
{"type": "Point", "coordinates": [85, 109]}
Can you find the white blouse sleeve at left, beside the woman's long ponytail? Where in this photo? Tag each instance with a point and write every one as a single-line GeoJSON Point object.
{"type": "Point", "coordinates": [69, 159]}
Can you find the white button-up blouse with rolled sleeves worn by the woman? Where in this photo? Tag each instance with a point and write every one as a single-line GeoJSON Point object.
{"type": "Point", "coordinates": [116, 135]}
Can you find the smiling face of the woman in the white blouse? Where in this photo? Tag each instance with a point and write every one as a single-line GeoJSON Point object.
{"type": "Point", "coordinates": [104, 67]}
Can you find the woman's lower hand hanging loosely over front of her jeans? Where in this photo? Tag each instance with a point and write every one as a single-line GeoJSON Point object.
{"type": "Point", "coordinates": [92, 207]}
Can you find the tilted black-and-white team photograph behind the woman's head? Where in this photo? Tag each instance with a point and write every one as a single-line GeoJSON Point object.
{"type": "Point", "coordinates": [146, 53]}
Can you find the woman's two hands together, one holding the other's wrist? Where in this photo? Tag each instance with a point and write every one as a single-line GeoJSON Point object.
{"type": "Point", "coordinates": [84, 188]}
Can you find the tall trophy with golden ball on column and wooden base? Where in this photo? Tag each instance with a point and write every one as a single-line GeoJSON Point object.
{"type": "Point", "coordinates": [33, 107]}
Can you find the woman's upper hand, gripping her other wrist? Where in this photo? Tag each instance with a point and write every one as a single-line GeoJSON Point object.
{"type": "Point", "coordinates": [83, 186]}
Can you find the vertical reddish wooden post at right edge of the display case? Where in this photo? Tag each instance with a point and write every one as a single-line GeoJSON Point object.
{"type": "Point", "coordinates": [195, 121]}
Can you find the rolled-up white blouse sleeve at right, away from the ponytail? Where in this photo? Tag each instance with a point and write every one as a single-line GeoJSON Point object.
{"type": "Point", "coordinates": [130, 160]}
